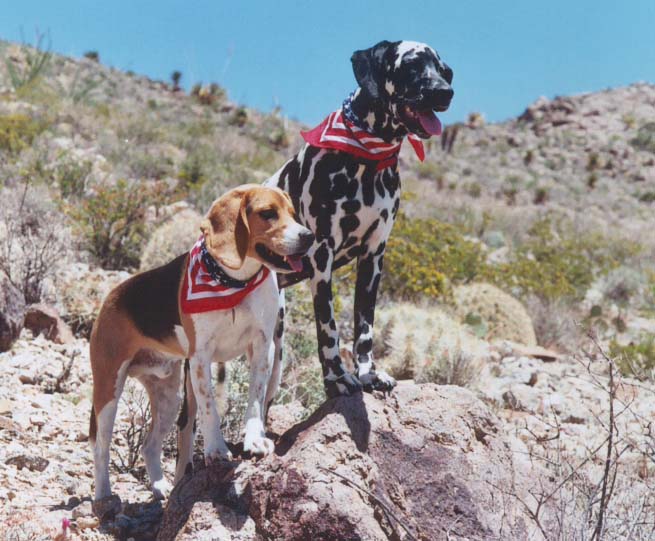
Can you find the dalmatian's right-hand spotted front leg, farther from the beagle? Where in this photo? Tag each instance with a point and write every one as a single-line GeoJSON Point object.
{"type": "Point", "coordinates": [369, 271]}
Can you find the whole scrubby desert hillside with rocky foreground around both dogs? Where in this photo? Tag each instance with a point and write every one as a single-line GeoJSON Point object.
{"type": "Point", "coordinates": [516, 243]}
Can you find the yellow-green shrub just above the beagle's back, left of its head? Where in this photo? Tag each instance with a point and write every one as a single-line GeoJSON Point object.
{"type": "Point", "coordinates": [111, 223]}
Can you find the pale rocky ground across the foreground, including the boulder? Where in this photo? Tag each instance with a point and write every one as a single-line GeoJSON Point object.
{"type": "Point", "coordinates": [354, 469]}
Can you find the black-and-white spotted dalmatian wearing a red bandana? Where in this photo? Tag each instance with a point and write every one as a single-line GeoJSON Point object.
{"type": "Point", "coordinates": [345, 188]}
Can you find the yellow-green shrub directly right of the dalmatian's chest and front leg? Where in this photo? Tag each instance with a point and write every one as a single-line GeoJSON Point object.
{"type": "Point", "coordinates": [422, 255]}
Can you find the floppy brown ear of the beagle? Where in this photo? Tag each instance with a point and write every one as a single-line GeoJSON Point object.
{"type": "Point", "coordinates": [226, 230]}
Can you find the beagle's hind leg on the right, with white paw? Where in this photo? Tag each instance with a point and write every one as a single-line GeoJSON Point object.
{"type": "Point", "coordinates": [164, 404]}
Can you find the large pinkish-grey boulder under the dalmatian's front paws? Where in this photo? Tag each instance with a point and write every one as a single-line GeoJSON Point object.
{"type": "Point", "coordinates": [430, 460]}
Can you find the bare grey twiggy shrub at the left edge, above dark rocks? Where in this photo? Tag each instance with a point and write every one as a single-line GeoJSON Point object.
{"type": "Point", "coordinates": [34, 239]}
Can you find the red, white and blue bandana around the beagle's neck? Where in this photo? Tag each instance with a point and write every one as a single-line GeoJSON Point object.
{"type": "Point", "coordinates": [202, 291]}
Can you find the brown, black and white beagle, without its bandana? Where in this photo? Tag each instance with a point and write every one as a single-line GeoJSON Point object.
{"type": "Point", "coordinates": [143, 331]}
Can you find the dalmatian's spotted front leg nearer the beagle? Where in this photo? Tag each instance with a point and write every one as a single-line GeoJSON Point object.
{"type": "Point", "coordinates": [337, 380]}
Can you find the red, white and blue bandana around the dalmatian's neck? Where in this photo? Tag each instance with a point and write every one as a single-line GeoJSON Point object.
{"type": "Point", "coordinates": [338, 133]}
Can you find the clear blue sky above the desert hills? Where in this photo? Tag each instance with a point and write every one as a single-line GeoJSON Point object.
{"type": "Point", "coordinates": [296, 54]}
